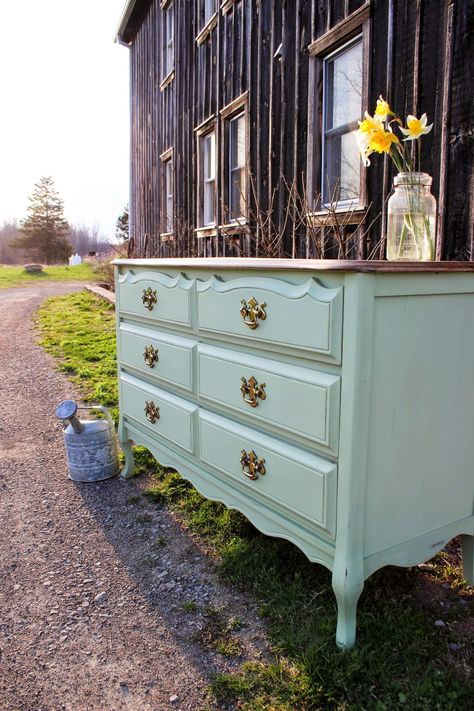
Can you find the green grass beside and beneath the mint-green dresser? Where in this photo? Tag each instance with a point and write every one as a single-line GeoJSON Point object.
{"type": "Point", "coordinates": [402, 660]}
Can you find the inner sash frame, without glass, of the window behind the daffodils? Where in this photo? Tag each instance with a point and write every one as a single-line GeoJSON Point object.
{"type": "Point", "coordinates": [350, 203]}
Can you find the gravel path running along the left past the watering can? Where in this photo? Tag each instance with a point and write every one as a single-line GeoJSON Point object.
{"type": "Point", "coordinates": [93, 578]}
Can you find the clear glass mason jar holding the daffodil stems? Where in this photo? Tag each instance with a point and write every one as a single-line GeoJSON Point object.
{"type": "Point", "coordinates": [411, 219]}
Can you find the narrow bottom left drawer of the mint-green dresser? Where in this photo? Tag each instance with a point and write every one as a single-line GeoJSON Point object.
{"type": "Point", "coordinates": [174, 417]}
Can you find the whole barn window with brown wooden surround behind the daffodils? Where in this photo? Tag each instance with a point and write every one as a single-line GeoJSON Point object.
{"type": "Point", "coordinates": [338, 89]}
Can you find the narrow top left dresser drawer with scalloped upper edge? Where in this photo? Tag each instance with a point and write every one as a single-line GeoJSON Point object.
{"type": "Point", "coordinates": [155, 296]}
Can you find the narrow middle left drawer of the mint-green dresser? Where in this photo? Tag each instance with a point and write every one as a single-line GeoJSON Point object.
{"type": "Point", "coordinates": [160, 355]}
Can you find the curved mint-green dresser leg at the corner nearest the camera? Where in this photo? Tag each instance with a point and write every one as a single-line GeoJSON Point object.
{"type": "Point", "coordinates": [347, 585]}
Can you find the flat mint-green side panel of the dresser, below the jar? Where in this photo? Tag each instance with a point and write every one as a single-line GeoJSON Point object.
{"type": "Point", "coordinates": [421, 452]}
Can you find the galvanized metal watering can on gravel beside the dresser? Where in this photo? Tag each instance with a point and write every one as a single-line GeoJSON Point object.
{"type": "Point", "coordinates": [91, 445]}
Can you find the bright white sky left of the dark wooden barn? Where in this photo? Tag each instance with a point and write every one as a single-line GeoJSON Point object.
{"type": "Point", "coordinates": [64, 108]}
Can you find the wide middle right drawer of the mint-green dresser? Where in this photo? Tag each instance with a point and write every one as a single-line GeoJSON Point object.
{"type": "Point", "coordinates": [298, 401]}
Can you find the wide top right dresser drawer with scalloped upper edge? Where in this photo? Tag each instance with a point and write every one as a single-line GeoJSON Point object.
{"type": "Point", "coordinates": [271, 312]}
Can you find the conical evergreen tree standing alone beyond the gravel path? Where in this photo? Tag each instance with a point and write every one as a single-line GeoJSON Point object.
{"type": "Point", "coordinates": [43, 234]}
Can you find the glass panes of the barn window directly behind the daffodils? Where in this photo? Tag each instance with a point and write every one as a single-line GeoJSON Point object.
{"type": "Point", "coordinates": [342, 99]}
